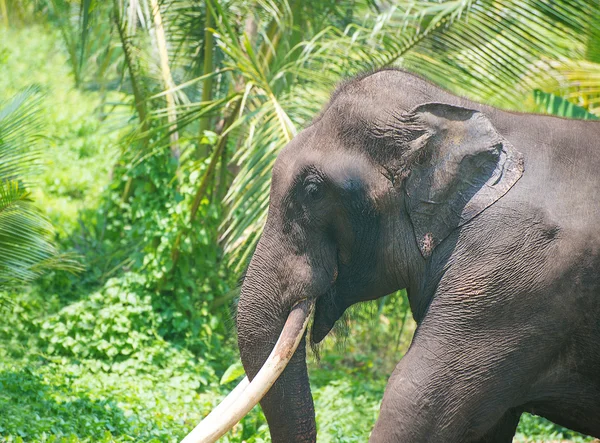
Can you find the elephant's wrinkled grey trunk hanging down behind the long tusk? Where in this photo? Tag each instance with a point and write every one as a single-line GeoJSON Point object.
{"type": "Point", "coordinates": [288, 406]}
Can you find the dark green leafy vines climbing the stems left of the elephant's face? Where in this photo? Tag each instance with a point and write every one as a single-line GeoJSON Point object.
{"type": "Point", "coordinates": [139, 235]}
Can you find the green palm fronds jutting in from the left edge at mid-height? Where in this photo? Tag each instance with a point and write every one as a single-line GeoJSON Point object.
{"type": "Point", "coordinates": [26, 236]}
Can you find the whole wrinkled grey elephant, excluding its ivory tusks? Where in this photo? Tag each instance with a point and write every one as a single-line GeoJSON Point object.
{"type": "Point", "coordinates": [489, 219]}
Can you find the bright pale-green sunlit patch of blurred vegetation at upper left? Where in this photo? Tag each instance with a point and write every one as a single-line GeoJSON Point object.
{"type": "Point", "coordinates": [80, 132]}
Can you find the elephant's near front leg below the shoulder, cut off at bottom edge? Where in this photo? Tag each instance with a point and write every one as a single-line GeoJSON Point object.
{"type": "Point", "coordinates": [459, 375]}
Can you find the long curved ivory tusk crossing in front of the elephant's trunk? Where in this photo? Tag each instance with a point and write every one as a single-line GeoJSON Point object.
{"type": "Point", "coordinates": [243, 398]}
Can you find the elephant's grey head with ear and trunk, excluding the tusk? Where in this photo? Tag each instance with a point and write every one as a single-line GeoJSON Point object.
{"type": "Point", "coordinates": [360, 201]}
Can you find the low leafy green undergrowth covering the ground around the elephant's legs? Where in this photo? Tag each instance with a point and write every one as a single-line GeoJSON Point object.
{"type": "Point", "coordinates": [125, 383]}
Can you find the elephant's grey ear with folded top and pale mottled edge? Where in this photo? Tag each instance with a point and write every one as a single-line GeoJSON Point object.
{"type": "Point", "coordinates": [463, 167]}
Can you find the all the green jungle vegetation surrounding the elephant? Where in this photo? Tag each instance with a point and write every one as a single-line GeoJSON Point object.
{"type": "Point", "coordinates": [136, 142]}
